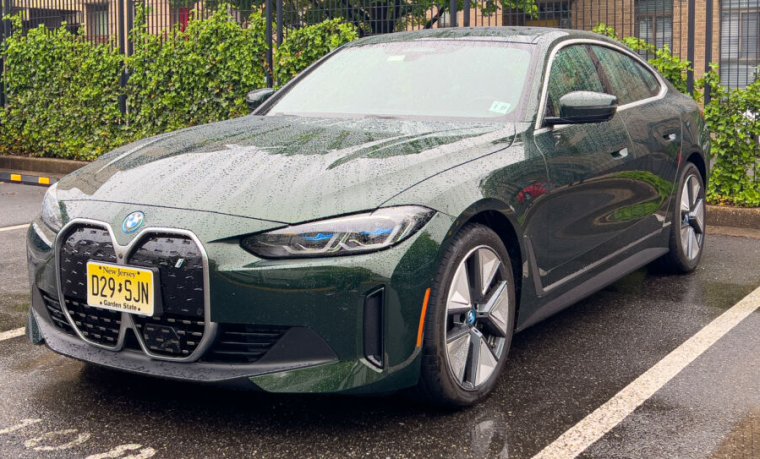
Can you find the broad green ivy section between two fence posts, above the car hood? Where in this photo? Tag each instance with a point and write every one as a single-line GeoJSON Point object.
{"type": "Point", "coordinates": [195, 76]}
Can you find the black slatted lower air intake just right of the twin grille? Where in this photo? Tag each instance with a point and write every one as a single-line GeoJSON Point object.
{"type": "Point", "coordinates": [243, 343]}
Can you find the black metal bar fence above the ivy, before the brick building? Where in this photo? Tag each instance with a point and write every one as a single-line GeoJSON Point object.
{"type": "Point", "coordinates": [726, 32]}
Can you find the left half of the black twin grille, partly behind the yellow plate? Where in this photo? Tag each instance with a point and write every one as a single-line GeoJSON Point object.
{"type": "Point", "coordinates": [82, 244]}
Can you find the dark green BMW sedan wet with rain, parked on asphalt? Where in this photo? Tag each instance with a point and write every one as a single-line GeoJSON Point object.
{"type": "Point", "coordinates": [387, 220]}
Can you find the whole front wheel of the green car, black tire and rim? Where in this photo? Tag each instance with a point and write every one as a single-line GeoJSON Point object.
{"type": "Point", "coordinates": [477, 326]}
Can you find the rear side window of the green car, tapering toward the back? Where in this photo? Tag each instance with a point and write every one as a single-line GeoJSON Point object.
{"type": "Point", "coordinates": [628, 79]}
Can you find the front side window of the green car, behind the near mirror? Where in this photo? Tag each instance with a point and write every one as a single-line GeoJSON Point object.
{"type": "Point", "coordinates": [572, 70]}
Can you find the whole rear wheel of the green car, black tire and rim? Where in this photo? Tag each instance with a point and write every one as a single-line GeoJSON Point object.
{"type": "Point", "coordinates": [687, 230]}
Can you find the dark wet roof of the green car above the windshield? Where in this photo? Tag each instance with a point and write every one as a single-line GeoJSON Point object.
{"type": "Point", "coordinates": [502, 34]}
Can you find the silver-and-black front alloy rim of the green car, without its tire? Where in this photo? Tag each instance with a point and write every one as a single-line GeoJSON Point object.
{"type": "Point", "coordinates": [477, 317]}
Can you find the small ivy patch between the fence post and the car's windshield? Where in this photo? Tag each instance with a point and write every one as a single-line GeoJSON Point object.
{"type": "Point", "coordinates": [305, 46]}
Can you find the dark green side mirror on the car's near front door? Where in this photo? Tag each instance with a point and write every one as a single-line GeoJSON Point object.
{"type": "Point", "coordinates": [581, 107]}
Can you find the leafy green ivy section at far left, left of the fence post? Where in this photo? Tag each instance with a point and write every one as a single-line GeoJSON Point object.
{"type": "Point", "coordinates": [62, 95]}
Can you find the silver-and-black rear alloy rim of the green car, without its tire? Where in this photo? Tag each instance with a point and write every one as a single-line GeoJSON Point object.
{"type": "Point", "coordinates": [692, 217]}
